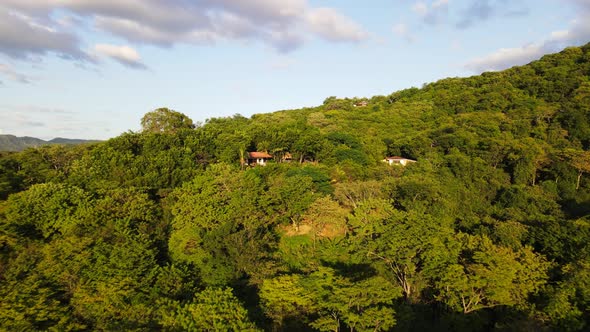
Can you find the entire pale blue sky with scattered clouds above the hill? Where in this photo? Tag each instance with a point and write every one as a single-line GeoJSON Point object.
{"type": "Point", "coordinates": [92, 68]}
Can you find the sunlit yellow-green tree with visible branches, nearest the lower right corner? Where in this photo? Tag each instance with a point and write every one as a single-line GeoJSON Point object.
{"type": "Point", "coordinates": [487, 275]}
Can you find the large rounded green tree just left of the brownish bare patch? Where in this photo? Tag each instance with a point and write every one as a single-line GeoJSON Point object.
{"type": "Point", "coordinates": [222, 223]}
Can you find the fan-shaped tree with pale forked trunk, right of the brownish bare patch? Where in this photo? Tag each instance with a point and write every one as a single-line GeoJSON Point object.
{"type": "Point", "coordinates": [408, 248]}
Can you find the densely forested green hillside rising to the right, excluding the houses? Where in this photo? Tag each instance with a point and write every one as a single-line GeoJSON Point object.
{"type": "Point", "coordinates": [169, 229]}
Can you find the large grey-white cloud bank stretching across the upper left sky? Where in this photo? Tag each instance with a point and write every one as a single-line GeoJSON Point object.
{"type": "Point", "coordinates": [284, 24]}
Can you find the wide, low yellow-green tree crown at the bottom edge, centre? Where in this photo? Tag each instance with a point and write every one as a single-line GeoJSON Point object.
{"type": "Point", "coordinates": [336, 301]}
